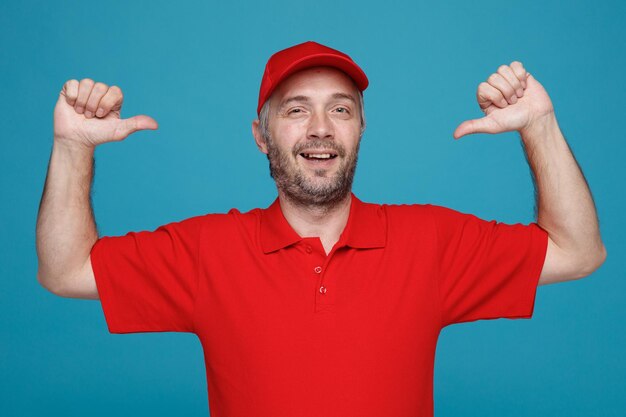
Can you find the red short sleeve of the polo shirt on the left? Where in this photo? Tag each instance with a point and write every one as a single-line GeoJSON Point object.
{"type": "Point", "coordinates": [147, 280]}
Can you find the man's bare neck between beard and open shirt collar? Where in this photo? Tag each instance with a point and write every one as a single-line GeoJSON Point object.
{"type": "Point", "coordinates": [324, 221]}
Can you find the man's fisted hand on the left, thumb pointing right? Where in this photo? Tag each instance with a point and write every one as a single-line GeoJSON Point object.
{"type": "Point", "coordinates": [87, 114]}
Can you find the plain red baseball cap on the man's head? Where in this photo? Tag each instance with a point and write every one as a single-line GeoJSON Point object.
{"type": "Point", "coordinates": [305, 55]}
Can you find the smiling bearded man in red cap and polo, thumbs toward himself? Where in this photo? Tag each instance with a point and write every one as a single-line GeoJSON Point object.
{"type": "Point", "coordinates": [320, 304]}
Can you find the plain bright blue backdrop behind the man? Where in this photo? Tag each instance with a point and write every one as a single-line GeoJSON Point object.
{"type": "Point", "coordinates": [196, 67]}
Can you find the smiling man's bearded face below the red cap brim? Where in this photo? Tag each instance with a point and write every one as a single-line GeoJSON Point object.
{"type": "Point", "coordinates": [314, 129]}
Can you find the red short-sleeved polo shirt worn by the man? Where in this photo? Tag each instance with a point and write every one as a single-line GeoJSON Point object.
{"type": "Point", "coordinates": [290, 331]}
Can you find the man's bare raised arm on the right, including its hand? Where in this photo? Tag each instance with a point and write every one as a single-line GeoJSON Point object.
{"type": "Point", "coordinates": [513, 100]}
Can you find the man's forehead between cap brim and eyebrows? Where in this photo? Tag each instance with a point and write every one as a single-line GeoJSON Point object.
{"type": "Point", "coordinates": [314, 82]}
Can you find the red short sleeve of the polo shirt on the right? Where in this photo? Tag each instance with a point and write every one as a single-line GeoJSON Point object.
{"type": "Point", "coordinates": [487, 269]}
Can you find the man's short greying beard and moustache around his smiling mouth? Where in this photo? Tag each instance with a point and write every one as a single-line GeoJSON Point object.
{"type": "Point", "coordinates": [319, 190]}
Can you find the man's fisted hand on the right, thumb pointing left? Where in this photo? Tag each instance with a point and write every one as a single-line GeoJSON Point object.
{"type": "Point", "coordinates": [511, 99]}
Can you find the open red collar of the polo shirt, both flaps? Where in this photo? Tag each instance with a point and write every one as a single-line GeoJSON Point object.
{"type": "Point", "coordinates": [366, 227]}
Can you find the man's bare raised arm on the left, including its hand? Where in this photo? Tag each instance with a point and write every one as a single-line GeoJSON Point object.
{"type": "Point", "coordinates": [87, 114]}
